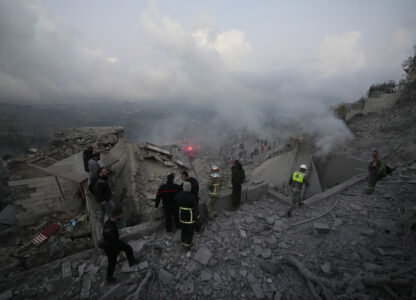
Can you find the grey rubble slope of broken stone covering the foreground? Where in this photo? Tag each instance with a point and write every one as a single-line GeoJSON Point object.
{"type": "Point", "coordinates": [246, 255]}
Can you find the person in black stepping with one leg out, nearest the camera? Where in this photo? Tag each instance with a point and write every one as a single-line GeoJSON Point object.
{"type": "Point", "coordinates": [112, 245]}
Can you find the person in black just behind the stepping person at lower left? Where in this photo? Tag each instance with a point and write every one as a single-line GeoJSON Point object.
{"type": "Point", "coordinates": [103, 195]}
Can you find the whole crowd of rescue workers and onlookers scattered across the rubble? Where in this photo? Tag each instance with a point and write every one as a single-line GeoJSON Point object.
{"type": "Point", "coordinates": [181, 202]}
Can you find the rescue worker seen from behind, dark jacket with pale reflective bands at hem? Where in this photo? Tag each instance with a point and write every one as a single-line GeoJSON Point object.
{"type": "Point", "coordinates": [188, 213]}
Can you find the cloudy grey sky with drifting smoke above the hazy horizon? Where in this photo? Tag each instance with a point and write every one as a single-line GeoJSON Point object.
{"type": "Point", "coordinates": [295, 57]}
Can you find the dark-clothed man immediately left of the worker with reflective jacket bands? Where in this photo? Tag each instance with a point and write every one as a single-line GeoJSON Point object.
{"type": "Point", "coordinates": [166, 193]}
